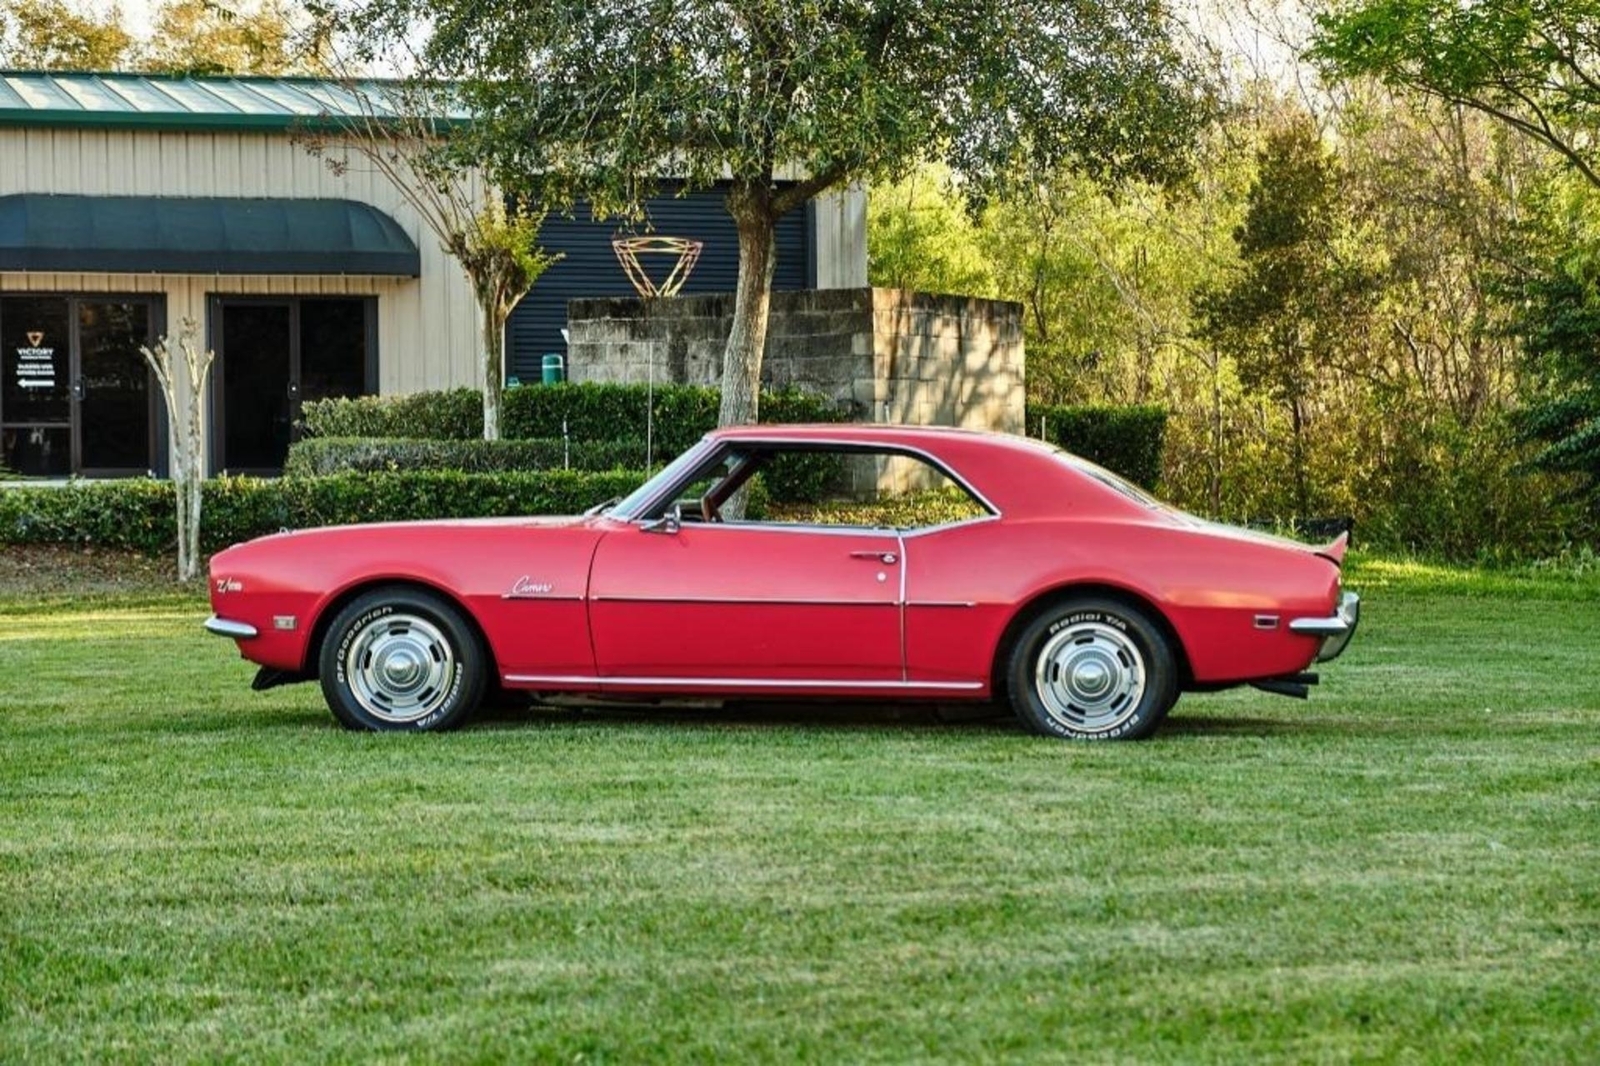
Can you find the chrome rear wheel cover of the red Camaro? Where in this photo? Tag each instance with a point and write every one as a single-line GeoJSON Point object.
{"type": "Point", "coordinates": [1090, 678]}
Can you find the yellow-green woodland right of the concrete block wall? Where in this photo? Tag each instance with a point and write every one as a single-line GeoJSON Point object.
{"type": "Point", "coordinates": [1362, 305]}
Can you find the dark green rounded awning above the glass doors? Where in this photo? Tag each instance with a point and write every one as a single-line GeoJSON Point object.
{"type": "Point", "coordinates": [201, 236]}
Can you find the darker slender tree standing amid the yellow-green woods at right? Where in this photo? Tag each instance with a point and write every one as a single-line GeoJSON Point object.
{"type": "Point", "coordinates": [1295, 308]}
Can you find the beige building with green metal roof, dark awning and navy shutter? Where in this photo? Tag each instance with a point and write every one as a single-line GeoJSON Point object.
{"type": "Point", "coordinates": [132, 204]}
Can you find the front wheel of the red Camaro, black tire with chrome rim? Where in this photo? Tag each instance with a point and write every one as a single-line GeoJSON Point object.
{"type": "Point", "coordinates": [402, 660]}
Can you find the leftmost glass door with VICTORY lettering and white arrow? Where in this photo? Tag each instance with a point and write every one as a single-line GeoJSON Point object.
{"type": "Point", "coordinates": [36, 395]}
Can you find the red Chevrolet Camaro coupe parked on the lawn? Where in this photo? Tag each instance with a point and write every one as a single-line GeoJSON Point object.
{"type": "Point", "coordinates": [1039, 579]}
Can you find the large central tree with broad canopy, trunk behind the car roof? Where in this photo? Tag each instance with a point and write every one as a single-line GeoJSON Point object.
{"type": "Point", "coordinates": [785, 100]}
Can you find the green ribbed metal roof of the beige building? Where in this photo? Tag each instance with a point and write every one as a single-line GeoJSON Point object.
{"type": "Point", "coordinates": [151, 102]}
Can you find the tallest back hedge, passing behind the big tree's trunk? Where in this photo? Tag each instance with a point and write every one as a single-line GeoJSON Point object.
{"type": "Point", "coordinates": [591, 412]}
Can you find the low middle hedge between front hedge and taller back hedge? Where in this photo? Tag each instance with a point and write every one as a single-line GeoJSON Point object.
{"type": "Point", "coordinates": [322, 457]}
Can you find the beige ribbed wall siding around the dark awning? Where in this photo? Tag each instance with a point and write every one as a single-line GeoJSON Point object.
{"type": "Point", "coordinates": [428, 335]}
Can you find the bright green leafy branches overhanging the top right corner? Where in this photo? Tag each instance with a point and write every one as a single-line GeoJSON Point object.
{"type": "Point", "coordinates": [1534, 65]}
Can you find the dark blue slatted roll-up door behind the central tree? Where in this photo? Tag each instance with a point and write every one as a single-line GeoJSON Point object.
{"type": "Point", "coordinates": [591, 268]}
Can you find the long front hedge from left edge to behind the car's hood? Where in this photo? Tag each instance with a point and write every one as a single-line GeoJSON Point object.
{"type": "Point", "coordinates": [140, 513]}
